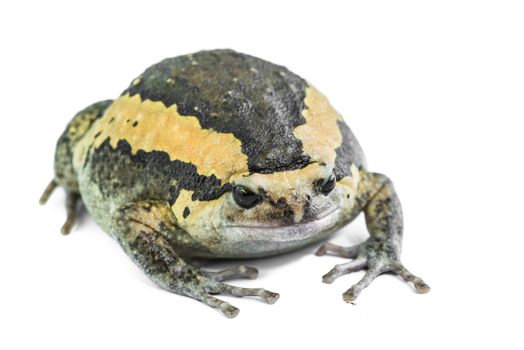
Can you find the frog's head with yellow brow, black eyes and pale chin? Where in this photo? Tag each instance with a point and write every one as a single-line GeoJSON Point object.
{"type": "Point", "coordinates": [271, 213]}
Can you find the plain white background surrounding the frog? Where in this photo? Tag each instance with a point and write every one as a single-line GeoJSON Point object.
{"type": "Point", "coordinates": [434, 92]}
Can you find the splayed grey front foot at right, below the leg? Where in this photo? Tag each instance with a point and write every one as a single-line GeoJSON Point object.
{"type": "Point", "coordinates": [373, 256]}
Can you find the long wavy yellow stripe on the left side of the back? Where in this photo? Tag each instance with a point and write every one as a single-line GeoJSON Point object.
{"type": "Point", "coordinates": [162, 128]}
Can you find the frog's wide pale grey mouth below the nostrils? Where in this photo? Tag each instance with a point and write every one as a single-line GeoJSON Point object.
{"type": "Point", "coordinates": [289, 232]}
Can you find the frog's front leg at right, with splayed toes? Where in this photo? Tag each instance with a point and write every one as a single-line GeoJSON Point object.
{"type": "Point", "coordinates": [381, 251]}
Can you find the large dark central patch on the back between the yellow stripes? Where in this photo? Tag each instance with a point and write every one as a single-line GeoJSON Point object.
{"type": "Point", "coordinates": [259, 102]}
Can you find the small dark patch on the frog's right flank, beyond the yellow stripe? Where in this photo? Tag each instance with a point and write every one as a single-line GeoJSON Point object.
{"type": "Point", "coordinates": [349, 152]}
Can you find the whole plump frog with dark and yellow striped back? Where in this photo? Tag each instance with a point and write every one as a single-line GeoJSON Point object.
{"type": "Point", "coordinates": [223, 155]}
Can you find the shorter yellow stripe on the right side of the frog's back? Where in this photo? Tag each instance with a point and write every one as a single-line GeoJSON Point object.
{"type": "Point", "coordinates": [320, 135]}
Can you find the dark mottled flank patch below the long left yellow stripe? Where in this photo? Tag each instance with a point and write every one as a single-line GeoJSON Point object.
{"type": "Point", "coordinates": [157, 177]}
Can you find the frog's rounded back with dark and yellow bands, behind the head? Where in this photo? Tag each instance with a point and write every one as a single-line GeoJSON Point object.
{"type": "Point", "coordinates": [190, 122]}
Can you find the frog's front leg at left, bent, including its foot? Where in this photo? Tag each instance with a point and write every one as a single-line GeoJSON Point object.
{"type": "Point", "coordinates": [148, 233]}
